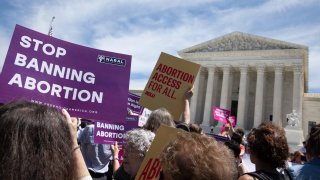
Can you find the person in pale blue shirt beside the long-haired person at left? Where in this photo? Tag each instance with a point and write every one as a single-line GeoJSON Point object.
{"type": "Point", "coordinates": [96, 156]}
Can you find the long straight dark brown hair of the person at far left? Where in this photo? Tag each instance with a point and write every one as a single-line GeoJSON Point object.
{"type": "Point", "coordinates": [35, 142]}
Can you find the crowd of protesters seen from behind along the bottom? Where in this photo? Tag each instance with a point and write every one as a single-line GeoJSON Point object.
{"type": "Point", "coordinates": [39, 142]}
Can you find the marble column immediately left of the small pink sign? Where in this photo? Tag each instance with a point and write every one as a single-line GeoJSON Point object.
{"type": "Point", "coordinates": [208, 98]}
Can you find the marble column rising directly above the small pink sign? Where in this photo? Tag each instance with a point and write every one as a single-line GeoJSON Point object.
{"type": "Point", "coordinates": [225, 86]}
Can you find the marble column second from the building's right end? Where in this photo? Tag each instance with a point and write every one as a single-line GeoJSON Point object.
{"type": "Point", "coordinates": [277, 94]}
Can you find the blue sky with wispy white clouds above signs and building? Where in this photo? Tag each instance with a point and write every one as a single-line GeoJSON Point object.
{"type": "Point", "coordinates": [144, 28]}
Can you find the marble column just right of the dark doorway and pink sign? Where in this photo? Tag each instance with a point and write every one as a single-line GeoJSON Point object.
{"type": "Point", "coordinates": [243, 92]}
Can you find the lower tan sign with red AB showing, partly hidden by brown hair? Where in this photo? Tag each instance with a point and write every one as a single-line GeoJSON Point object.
{"type": "Point", "coordinates": [150, 167]}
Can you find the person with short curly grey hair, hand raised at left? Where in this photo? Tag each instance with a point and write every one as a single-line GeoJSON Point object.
{"type": "Point", "coordinates": [137, 144]}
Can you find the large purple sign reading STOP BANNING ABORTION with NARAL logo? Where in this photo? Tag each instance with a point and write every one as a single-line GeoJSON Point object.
{"type": "Point", "coordinates": [89, 83]}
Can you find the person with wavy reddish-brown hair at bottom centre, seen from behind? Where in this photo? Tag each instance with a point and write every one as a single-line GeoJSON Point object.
{"type": "Point", "coordinates": [193, 156]}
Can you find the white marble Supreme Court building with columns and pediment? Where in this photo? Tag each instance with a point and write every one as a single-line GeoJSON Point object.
{"type": "Point", "coordinates": [258, 79]}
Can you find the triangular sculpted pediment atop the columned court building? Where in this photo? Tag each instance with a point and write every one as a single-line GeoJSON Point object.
{"type": "Point", "coordinates": [239, 41]}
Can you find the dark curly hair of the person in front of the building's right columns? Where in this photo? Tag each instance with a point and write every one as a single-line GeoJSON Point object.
{"type": "Point", "coordinates": [269, 144]}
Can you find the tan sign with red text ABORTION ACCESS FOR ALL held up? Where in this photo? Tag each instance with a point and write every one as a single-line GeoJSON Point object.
{"type": "Point", "coordinates": [170, 79]}
